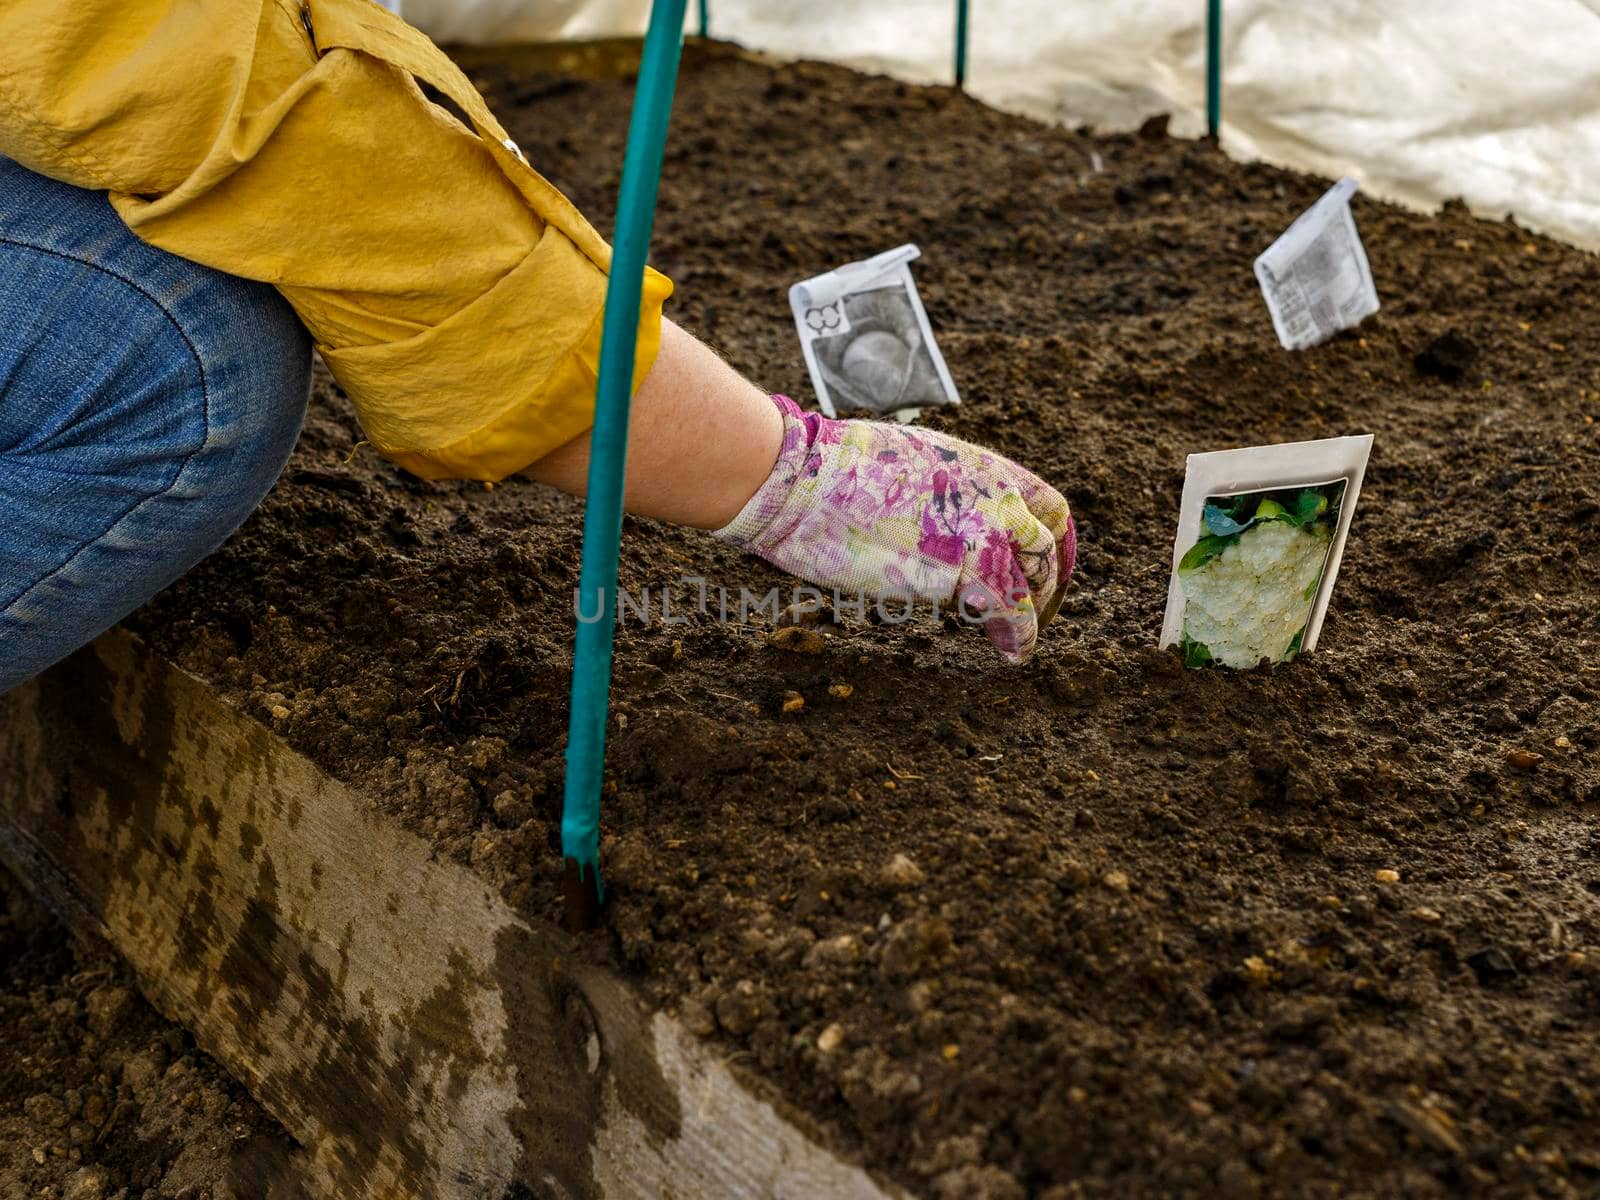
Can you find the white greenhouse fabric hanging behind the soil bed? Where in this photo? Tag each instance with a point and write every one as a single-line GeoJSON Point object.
{"type": "Point", "coordinates": [1426, 100]}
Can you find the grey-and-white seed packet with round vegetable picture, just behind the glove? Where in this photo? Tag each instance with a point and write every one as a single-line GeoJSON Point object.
{"type": "Point", "coordinates": [866, 338]}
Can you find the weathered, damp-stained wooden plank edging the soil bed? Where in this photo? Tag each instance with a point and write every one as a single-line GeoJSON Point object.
{"type": "Point", "coordinates": [390, 1009]}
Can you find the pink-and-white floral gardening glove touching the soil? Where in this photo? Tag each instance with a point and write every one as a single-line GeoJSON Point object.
{"type": "Point", "coordinates": [882, 510]}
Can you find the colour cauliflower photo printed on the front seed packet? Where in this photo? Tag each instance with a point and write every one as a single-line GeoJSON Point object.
{"type": "Point", "coordinates": [1252, 580]}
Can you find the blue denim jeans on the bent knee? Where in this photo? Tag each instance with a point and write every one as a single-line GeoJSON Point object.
{"type": "Point", "coordinates": [146, 407]}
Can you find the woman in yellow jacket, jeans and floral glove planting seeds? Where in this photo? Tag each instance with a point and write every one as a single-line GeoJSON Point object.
{"type": "Point", "coordinates": [196, 193]}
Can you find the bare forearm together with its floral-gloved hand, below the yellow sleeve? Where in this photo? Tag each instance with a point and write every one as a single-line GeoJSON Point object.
{"type": "Point", "coordinates": [855, 505]}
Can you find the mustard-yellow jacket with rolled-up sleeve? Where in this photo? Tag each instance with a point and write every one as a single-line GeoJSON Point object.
{"type": "Point", "coordinates": [454, 294]}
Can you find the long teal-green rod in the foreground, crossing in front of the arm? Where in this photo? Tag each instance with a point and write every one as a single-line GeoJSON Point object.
{"type": "Point", "coordinates": [636, 214]}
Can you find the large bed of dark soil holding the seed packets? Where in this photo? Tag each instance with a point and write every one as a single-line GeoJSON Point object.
{"type": "Point", "coordinates": [1322, 930]}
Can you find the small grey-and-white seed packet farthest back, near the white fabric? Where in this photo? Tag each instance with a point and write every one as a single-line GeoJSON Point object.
{"type": "Point", "coordinates": [1316, 278]}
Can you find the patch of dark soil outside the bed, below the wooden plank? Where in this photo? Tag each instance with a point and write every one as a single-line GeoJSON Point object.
{"type": "Point", "coordinates": [102, 1098]}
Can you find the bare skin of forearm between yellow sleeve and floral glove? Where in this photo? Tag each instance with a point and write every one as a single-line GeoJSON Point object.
{"type": "Point", "coordinates": [702, 441]}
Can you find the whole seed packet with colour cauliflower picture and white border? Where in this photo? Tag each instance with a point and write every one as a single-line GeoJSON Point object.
{"type": "Point", "coordinates": [1260, 542]}
